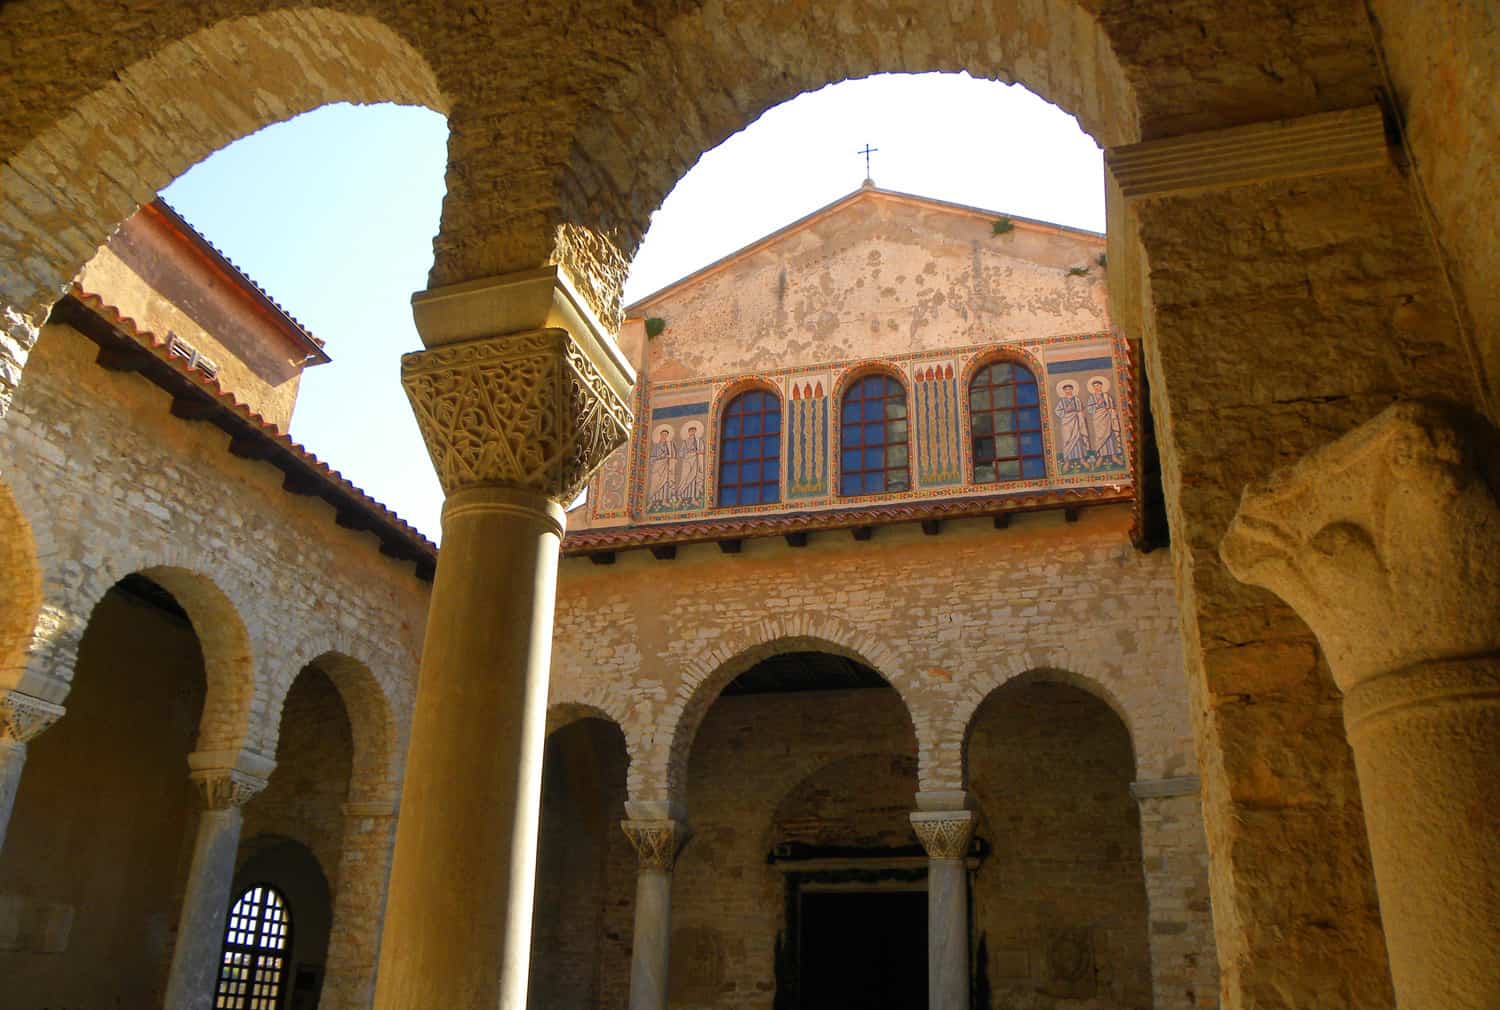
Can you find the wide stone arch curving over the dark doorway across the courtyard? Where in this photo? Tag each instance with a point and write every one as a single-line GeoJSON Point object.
{"type": "Point", "coordinates": [709, 673]}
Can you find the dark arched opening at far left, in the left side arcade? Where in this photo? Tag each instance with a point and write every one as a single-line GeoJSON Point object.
{"type": "Point", "coordinates": [100, 844]}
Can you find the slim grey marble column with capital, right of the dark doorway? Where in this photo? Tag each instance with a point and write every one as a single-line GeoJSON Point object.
{"type": "Point", "coordinates": [946, 837]}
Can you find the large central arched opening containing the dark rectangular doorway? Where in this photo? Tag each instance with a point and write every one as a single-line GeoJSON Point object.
{"type": "Point", "coordinates": [802, 861]}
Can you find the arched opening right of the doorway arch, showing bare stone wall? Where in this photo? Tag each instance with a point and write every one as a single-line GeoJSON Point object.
{"type": "Point", "coordinates": [1060, 900]}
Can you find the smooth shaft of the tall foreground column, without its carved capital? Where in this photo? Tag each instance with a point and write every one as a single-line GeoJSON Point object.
{"type": "Point", "coordinates": [458, 921]}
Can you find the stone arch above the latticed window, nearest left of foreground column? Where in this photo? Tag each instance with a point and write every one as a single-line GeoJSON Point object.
{"type": "Point", "coordinates": [371, 706]}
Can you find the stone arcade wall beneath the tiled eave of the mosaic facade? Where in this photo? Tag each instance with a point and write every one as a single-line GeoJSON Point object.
{"type": "Point", "coordinates": [946, 621]}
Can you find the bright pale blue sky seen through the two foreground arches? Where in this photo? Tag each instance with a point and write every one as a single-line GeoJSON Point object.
{"type": "Point", "coordinates": [334, 214]}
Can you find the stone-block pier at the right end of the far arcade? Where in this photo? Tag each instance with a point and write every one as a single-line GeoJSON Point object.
{"type": "Point", "coordinates": [1175, 858]}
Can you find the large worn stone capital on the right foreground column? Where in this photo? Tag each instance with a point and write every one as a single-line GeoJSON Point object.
{"type": "Point", "coordinates": [1387, 543]}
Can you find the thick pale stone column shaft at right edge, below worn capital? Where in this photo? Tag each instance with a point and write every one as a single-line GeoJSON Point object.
{"type": "Point", "coordinates": [1427, 745]}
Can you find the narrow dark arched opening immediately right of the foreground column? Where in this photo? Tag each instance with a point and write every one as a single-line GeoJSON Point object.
{"type": "Point", "coordinates": [586, 873]}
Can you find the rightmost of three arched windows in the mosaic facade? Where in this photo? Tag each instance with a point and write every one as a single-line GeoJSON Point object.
{"type": "Point", "coordinates": [1007, 424]}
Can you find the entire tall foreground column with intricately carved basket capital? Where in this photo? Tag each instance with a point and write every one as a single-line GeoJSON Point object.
{"type": "Point", "coordinates": [520, 400]}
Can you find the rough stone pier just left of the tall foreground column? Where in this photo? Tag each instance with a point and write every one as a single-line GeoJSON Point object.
{"type": "Point", "coordinates": [370, 834]}
